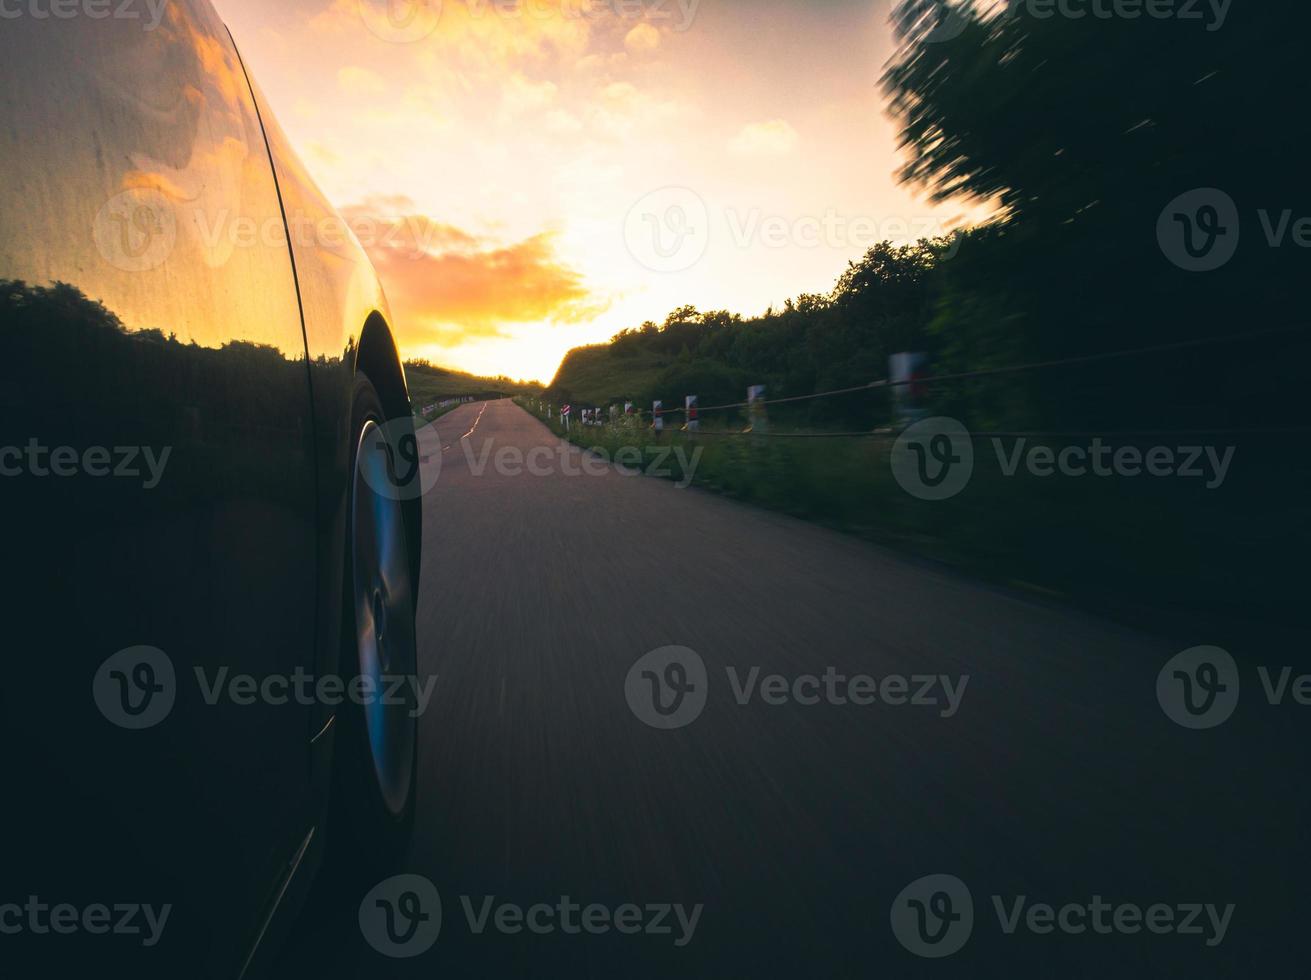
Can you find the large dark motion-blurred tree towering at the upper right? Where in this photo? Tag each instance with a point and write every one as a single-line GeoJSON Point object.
{"type": "Point", "coordinates": [1081, 133]}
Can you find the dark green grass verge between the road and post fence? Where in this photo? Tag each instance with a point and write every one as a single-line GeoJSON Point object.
{"type": "Point", "coordinates": [1157, 552]}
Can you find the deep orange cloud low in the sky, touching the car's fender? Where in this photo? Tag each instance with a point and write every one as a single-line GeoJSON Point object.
{"type": "Point", "coordinates": [446, 285]}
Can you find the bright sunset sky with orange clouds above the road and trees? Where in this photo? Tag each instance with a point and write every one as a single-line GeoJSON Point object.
{"type": "Point", "coordinates": [530, 178]}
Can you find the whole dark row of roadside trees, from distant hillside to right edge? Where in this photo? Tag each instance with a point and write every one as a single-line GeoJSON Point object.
{"type": "Point", "coordinates": [1086, 137]}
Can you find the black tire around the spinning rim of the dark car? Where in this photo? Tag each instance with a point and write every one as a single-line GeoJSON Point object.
{"type": "Point", "coordinates": [366, 833]}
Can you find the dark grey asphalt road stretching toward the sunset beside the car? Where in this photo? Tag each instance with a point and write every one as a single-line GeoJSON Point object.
{"type": "Point", "coordinates": [795, 826]}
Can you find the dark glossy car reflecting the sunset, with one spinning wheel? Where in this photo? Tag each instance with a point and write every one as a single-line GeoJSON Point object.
{"type": "Point", "coordinates": [210, 480]}
